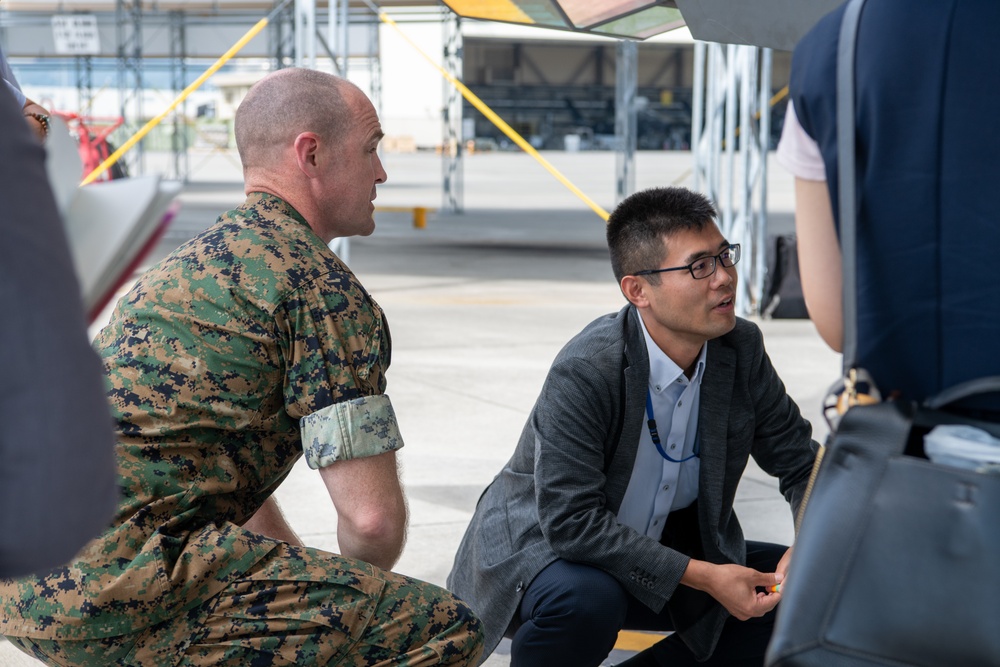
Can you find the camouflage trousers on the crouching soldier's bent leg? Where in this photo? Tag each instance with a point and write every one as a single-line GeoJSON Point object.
{"type": "Point", "coordinates": [298, 606]}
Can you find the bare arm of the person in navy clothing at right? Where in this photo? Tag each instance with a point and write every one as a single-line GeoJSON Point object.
{"type": "Point", "coordinates": [819, 260]}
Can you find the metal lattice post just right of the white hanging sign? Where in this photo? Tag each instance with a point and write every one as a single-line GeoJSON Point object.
{"type": "Point", "coordinates": [128, 16]}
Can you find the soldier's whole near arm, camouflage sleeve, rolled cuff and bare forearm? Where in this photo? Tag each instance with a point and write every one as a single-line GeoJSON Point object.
{"type": "Point", "coordinates": [352, 441]}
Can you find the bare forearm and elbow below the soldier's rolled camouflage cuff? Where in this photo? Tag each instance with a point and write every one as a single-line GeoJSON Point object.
{"type": "Point", "coordinates": [371, 510]}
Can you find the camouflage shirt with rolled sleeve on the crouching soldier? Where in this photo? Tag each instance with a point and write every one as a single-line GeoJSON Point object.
{"type": "Point", "coordinates": [245, 346]}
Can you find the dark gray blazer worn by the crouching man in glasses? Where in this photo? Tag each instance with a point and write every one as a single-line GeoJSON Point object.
{"type": "Point", "coordinates": [559, 494]}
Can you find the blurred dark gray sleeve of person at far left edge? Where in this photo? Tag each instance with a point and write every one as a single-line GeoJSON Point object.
{"type": "Point", "coordinates": [57, 445]}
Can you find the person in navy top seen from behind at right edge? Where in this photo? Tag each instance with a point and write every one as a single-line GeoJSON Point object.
{"type": "Point", "coordinates": [927, 162]}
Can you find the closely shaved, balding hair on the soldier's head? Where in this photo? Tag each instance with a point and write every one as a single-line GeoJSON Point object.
{"type": "Point", "coordinates": [283, 105]}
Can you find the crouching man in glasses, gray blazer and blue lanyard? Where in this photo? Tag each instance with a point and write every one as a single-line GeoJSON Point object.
{"type": "Point", "coordinates": [616, 509]}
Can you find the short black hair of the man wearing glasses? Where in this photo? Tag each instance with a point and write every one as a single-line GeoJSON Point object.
{"type": "Point", "coordinates": [638, 226]}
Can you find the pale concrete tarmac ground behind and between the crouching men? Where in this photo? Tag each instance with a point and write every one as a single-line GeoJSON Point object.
{"type": "Point", "coordinates": [478, 305]}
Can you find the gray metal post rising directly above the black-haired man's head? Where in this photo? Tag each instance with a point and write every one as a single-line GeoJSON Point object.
{"type": "Point", "coordinates": [626, 87]}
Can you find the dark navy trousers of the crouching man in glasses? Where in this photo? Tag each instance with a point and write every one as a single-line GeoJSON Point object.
{"type": "Point", "coordinates": [571, 614]}
